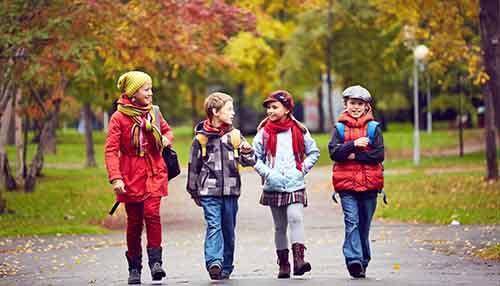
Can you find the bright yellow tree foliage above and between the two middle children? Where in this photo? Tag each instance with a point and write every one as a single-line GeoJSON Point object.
{"type": "Point", "coordinates": [255, 55]}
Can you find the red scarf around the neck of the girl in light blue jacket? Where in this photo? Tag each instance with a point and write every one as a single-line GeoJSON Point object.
{"type": "Point", "coordinates": [272, 129]}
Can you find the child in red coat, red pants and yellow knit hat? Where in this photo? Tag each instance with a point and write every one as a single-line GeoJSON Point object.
{"type": "Point", "coordinates": [133, 155]}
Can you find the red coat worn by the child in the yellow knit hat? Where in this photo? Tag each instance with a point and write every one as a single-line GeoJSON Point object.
{"type": "Point", "coordinates": [143, 176]}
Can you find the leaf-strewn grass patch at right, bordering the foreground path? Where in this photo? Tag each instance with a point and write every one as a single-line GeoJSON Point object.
{"type": "Point", "coordinates": [441, 198]}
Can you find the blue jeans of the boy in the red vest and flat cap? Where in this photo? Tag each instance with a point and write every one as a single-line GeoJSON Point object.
{"type": "Point", "coordinates": [358, 210]}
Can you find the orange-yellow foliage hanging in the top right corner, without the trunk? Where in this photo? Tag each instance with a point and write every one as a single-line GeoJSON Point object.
{"type": "Point", "coordinates": [446, 27]}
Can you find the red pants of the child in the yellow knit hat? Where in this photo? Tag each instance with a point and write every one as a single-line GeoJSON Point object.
{"type": "Point", "coordinates": [137, 213]}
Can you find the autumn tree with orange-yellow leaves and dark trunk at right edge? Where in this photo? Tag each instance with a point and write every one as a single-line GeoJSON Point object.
{"type": "Point", "coordinates": [451, 31]}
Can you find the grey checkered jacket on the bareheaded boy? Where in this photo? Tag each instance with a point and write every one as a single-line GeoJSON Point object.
{"type": "Point", "coordinates": [217, 174]}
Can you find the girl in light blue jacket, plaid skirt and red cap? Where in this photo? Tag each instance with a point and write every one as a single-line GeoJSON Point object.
{"type": "Point", "coordinates": [285, 153]}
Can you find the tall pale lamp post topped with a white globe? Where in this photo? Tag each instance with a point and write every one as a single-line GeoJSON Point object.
{"type": "Point", "coordinates": [419, 54]}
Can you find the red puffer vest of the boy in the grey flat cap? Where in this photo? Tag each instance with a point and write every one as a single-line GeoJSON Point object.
{"type": "Point", "coordinates": [352, 175]}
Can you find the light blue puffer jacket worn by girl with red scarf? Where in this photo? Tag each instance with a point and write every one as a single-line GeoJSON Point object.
{"type": "Point", "coordinates": [284, 175]}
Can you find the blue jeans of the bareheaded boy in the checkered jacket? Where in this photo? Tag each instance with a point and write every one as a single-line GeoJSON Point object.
{"type": "Point", "coordinates": [220, 217]}
